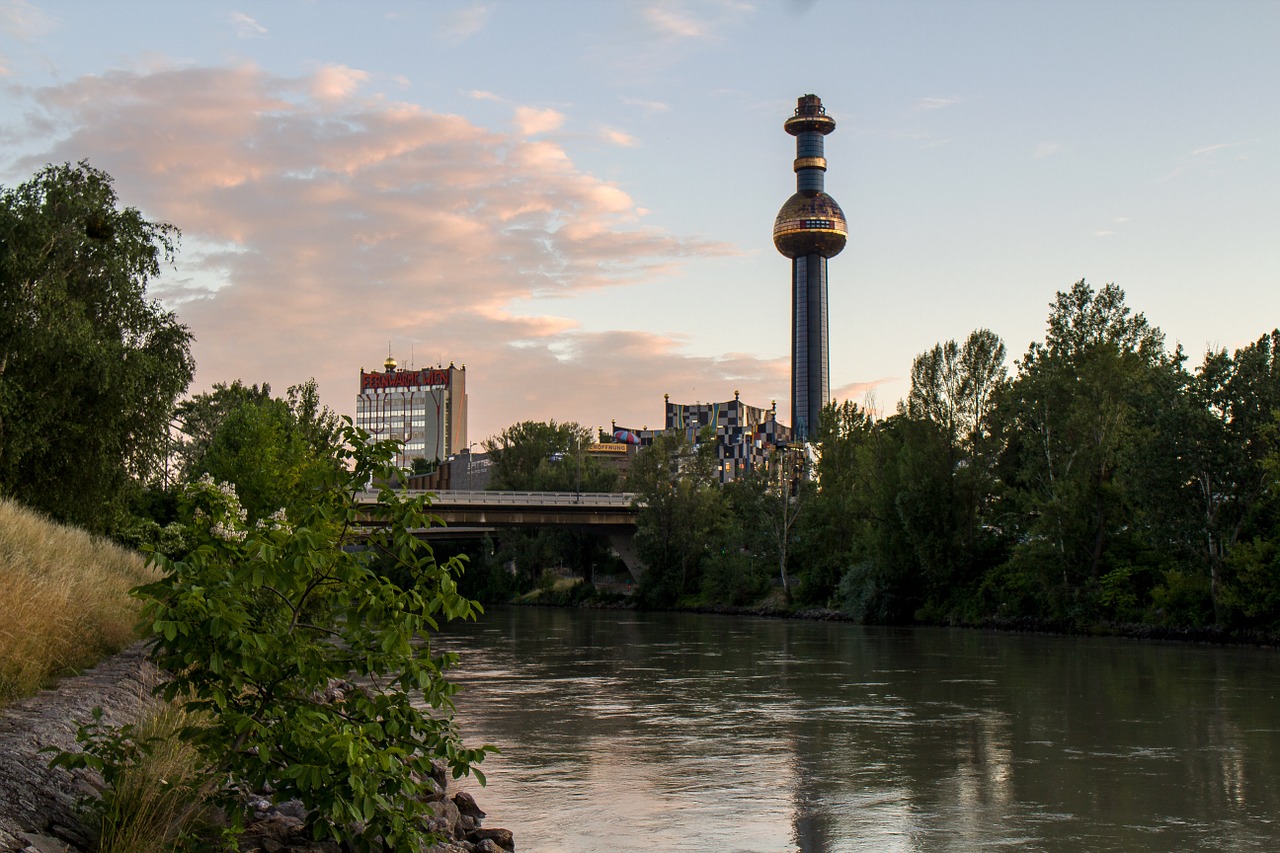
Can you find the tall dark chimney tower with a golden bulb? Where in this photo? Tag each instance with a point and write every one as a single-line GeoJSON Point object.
{"type": "Point", "coordinates": [810, 230]}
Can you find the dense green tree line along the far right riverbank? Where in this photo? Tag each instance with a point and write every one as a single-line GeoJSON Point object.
{"type": "Point", "coordinates": [1101, 481]}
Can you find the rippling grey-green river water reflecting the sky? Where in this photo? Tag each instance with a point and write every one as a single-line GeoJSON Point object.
{"type": "Point", "coordinates": [668, 732]}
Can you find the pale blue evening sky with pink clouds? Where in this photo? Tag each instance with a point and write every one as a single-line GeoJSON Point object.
{"type": "Point", "coordinates": [575, 199]}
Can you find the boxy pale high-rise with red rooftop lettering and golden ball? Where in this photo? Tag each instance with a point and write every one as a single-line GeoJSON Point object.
{"type": "Point", "coordinates": [426, 409]}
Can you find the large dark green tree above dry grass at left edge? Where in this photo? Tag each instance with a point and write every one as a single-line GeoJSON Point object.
{"type": "Point", "coordinates": [90, 370]}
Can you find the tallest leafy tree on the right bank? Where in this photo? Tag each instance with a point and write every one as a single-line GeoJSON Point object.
{"type": "Point", "coordinates": [1076, 413]}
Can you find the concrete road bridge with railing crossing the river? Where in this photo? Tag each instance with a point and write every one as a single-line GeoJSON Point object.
{"type": "Point", "coordinates": [474, 514]}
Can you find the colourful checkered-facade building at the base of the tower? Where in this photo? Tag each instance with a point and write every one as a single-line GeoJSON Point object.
{"type": "Point", "coordinates": [746, 436]}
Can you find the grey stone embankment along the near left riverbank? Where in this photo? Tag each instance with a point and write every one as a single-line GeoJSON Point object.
{"type": "Point", "coordinates": [38, 804]}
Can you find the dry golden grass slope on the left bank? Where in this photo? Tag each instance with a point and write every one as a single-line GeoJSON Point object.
{"type": "Point", "coordinates": [63, 600]}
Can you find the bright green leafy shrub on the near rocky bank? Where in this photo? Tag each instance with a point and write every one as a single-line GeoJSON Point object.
{"type": "Point", "coordinates": [260, 623]}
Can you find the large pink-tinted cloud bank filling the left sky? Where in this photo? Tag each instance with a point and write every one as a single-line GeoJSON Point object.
{"type": "Point", "coordinates": [318, 230]}
